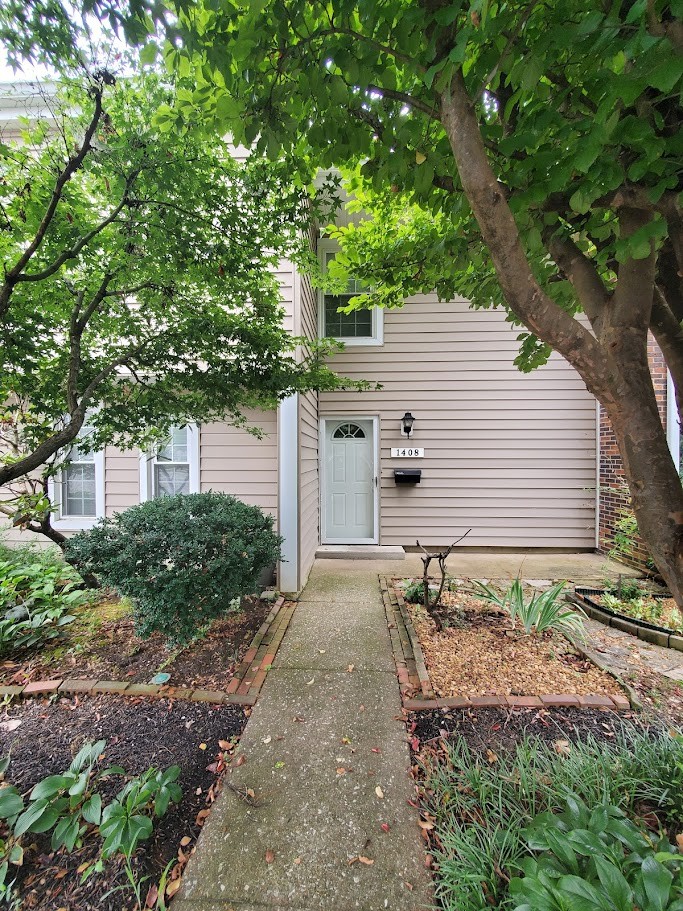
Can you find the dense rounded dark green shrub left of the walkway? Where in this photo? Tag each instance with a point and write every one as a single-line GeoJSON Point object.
{"type": "Point", "coordinates": [182, 560]}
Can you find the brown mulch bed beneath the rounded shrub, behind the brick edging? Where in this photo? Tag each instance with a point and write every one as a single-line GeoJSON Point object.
{"type": "Point", "coordinates": [101, 644]}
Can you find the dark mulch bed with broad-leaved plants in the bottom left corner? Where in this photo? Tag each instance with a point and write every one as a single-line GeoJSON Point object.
{"type": "Point", "coordinates": [141, 735]}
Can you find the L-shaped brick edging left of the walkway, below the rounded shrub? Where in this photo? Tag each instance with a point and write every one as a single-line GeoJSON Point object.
{"type": "Point", "coordinates": [243, 689]}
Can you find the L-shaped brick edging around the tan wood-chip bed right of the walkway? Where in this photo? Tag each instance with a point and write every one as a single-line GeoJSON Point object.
{"type": "Point", "coordinates": [414, 679]}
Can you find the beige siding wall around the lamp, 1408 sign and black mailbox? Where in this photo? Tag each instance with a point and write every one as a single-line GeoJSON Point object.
{"type": "Point", "coordinates": [511, 455]}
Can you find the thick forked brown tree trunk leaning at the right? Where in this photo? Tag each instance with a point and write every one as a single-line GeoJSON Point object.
{"type": "Point", "coordinates": [614, 366]}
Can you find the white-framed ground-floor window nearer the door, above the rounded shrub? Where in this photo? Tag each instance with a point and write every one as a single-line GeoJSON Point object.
{"type": "Point", "coordinates": [173, 467]}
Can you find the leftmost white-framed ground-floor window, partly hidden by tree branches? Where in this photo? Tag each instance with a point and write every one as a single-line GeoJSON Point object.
{"type": "Point", "coordinates": [77, 491]}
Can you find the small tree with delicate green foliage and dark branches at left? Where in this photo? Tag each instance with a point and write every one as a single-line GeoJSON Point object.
{"type": "Point", "coordinates": [138, 288]}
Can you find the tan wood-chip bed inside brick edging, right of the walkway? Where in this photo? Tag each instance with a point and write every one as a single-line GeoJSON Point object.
{"type": "Point", "coordinates": [479, 655]}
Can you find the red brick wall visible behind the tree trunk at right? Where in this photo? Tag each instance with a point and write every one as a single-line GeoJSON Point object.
{"type": "Point", "coordinates": [613, 489]}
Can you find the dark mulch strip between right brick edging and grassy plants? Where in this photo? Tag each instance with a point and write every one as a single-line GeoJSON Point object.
{"type": "Point", "coordinates": [492, 729]}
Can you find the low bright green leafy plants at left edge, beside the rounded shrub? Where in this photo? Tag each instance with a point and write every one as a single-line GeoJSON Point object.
{"type": "Point", "coordinates": [36, 591]}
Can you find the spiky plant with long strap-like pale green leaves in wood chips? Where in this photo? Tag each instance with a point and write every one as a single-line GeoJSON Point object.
{"type": "Point", "coordinates": [542, 612]}
